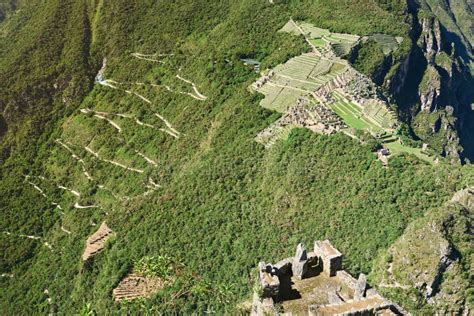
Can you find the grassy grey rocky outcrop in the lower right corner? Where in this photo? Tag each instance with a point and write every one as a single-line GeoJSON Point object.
{"type": "Point", "coordinates": [428, 257]}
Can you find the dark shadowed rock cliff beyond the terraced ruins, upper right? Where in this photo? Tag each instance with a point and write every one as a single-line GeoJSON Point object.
{"type": "Point", "coordinates": [434, 78]}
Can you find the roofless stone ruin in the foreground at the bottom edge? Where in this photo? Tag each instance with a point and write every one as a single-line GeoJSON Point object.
{"type": "Point", "coordinates": [341, 293]}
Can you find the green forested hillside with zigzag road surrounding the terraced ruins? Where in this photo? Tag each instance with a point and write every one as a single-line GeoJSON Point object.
{"type": "Point", "coordinates": [194, 187]}
